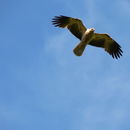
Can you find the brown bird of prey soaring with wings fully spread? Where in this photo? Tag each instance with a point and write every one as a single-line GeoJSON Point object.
{"type": "Point", "coordinates": [87, 36]}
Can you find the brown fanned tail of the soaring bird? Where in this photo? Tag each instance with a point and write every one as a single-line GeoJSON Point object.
{"type": "Point", "coordinates": [79, 49]}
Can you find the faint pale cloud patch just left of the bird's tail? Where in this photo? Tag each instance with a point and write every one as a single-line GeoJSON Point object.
{"type": "Point", "coordinates": [56, 45]}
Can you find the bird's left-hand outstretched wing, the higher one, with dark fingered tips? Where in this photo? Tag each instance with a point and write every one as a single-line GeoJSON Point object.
{"type": "Point", "coordinates": [75, 26]}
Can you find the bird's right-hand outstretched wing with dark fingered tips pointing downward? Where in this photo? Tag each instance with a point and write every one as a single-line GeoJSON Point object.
{"type": "Point", "coordinates": [106, 42]}
